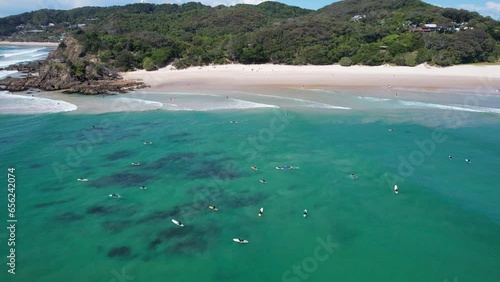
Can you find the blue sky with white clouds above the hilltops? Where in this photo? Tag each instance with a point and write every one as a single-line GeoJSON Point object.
{"type": "Point", "coordinates": [484, 7]}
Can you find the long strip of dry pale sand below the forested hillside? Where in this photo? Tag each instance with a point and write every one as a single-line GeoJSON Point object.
{"type": "Point", "coordinates": [236, 76]}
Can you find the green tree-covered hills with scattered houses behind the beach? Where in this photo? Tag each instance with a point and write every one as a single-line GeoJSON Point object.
{"type": "Point", "coordinates": [370, 32]}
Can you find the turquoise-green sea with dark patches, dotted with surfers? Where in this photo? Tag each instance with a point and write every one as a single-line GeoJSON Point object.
{"type": "Point", "coordinates": [443, 225]}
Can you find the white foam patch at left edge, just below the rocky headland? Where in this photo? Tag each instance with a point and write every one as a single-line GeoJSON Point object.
{"type": "Point", "coordinates": [18, 104]}
